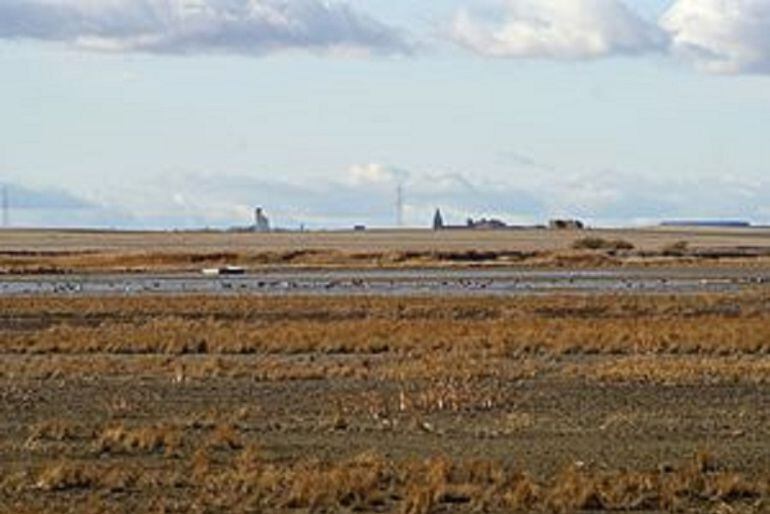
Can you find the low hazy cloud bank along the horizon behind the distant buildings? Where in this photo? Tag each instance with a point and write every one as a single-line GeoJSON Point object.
{"type": "Point", "coordinates": [189, 200]}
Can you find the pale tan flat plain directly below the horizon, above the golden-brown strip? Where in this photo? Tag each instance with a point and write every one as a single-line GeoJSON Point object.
{"type": "Point", "coordinates": [370, 241]}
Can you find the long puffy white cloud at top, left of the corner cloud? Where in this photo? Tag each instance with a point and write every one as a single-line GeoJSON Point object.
{"type": "Point", "coordinates": [561, 29]}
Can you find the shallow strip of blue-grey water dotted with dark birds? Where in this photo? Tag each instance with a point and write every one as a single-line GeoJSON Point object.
{"type": "Point", "coordinates": [395, 282]}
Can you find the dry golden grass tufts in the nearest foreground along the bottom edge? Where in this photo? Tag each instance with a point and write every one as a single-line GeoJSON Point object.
{"type": "Point", "coordinates": [372, 483]}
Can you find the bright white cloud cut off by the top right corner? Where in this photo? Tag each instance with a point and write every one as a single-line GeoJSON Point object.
{"type": "Point", "coordinates": [722, 36]}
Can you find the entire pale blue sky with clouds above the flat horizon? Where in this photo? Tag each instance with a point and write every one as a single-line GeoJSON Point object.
{"type": "Point", "coordinates": [190, 113]}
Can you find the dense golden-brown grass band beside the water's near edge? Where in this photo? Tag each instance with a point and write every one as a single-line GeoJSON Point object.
{"type": "Point", "coordinates": [446, 328]}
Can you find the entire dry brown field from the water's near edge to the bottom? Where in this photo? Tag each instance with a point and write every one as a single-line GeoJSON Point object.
{"type": "Point", "coordinates": [410, 405]}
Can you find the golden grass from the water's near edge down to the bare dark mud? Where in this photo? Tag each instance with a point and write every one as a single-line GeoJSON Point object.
{"type": "Point", "coordinates": [444, 342]}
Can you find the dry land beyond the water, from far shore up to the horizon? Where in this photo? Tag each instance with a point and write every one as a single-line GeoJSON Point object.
{"type": "Point", "coordinates": [82, 251]}
